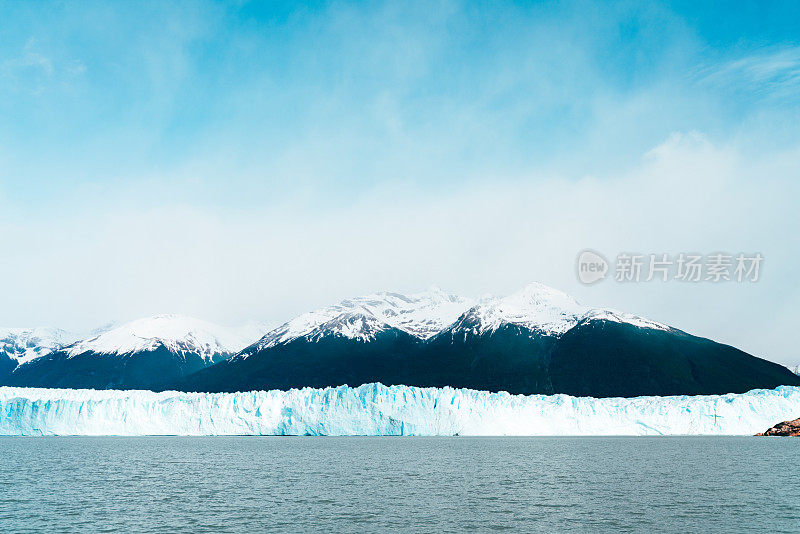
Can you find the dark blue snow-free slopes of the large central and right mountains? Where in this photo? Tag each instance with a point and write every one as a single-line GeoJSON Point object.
{"type": "Point", "coordinates": [595, 358]}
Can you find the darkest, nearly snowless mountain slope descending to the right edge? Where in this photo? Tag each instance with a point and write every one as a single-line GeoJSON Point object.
{"type": "Point", "coordinates": [606, 358]}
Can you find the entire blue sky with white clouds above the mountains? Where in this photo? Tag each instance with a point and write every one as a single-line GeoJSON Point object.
{"type": "Point", "coordinates": [254, 160]}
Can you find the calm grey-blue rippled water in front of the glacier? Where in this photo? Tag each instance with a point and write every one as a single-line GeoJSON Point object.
{"type": "Point", "coordinates": [162, 484]}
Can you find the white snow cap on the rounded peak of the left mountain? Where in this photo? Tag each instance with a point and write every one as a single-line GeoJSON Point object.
{"type": "Point", "coordinates": [178, 334]}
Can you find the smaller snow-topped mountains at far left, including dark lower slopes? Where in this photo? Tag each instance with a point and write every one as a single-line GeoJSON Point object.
{"type": "Point", "coordinates": [143, 354]}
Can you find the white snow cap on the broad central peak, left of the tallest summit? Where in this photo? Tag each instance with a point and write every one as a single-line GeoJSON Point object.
{"type": "Point", "coordinates": [420, 314]}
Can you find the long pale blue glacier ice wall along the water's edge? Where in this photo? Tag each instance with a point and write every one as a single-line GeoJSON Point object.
{"type": "Point", "coordinates": [375, 409]}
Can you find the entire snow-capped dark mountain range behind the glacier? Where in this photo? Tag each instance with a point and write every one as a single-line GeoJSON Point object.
{"type": "Point", "coordinates": [538, 340]}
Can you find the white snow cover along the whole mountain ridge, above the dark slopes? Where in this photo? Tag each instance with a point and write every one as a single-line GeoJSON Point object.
{"type": "Point", "coordinates": [422, 315]}
